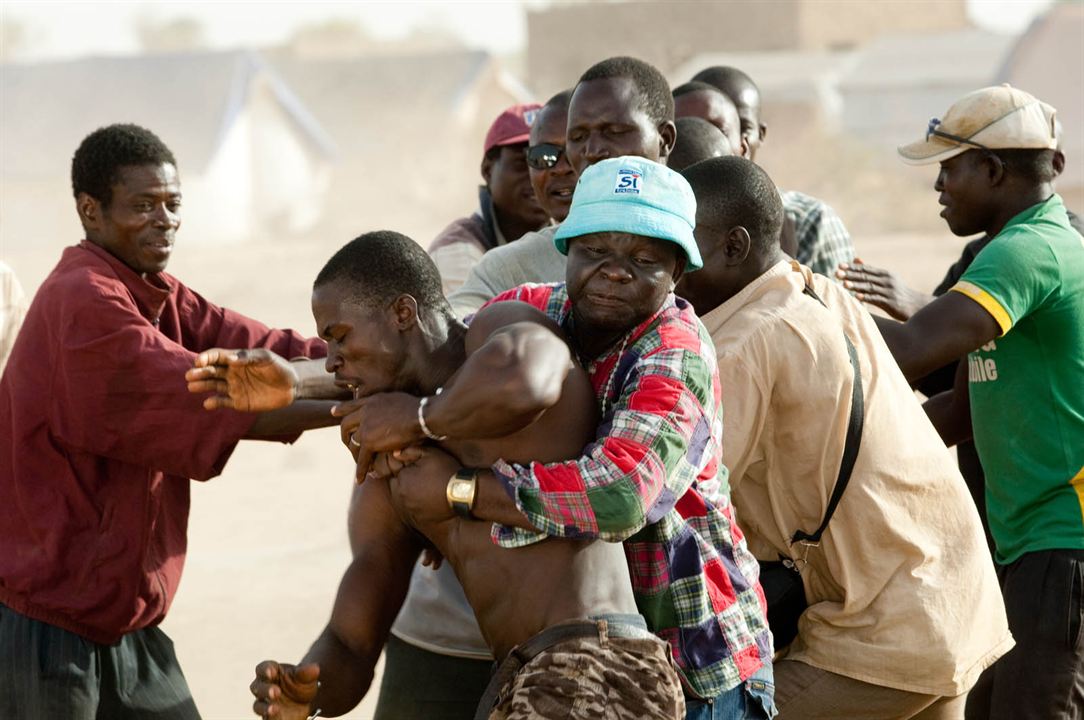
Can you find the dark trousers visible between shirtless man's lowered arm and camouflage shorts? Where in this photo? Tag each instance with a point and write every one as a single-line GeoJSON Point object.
{"type": "Point", "coordinates": [418, 684]}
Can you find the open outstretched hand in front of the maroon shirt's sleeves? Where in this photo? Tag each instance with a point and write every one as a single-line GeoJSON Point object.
{"type": "Point", "coordinates": [251, 381]}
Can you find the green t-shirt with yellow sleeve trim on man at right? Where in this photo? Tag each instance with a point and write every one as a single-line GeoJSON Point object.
{"type": "Point", "coordinates": [1028, 387]}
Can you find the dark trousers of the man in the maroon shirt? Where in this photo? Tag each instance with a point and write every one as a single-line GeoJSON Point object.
{"type": "Point", "coordinates": [49, 674]}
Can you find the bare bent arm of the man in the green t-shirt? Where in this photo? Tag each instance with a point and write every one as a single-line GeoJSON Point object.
{"type": "Point", "coordinates": [947, 329]}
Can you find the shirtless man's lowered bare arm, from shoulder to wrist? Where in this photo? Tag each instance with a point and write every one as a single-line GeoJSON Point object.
{"type": "Point", "coordinates": [370, 596]}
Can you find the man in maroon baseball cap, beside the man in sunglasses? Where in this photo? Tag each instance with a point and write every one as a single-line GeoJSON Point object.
{"type": "Point", "coordinates": [508, 208]}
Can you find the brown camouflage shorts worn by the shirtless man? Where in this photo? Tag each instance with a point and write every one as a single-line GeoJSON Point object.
{"type": "Point", "coordinates": [596, 678]}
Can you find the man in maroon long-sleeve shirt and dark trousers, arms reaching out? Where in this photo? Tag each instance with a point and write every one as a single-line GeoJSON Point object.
{"type": "Point", "coordinates": [99, 438]}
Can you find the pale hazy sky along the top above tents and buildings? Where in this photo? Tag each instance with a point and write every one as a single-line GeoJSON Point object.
{"type": "Point", "coordinates": [70, 30]}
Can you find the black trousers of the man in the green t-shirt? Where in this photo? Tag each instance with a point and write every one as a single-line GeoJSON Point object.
{"type": "Point", "coordinates": [1043, 677]}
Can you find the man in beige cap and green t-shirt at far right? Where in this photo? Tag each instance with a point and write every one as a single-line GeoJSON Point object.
{"type": "Point", "coordinates": [1018, 313]}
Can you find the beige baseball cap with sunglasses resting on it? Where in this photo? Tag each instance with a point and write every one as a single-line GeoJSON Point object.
{"type": "Point", "coordinates": [1001, 118]}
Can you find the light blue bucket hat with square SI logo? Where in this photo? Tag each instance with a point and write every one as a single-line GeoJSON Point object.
{"type": "Point", "coordinates": [634, 196]}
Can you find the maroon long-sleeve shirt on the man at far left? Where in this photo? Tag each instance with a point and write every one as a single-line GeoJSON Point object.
{"type": "Point", "coordinates": [99, 438]}
